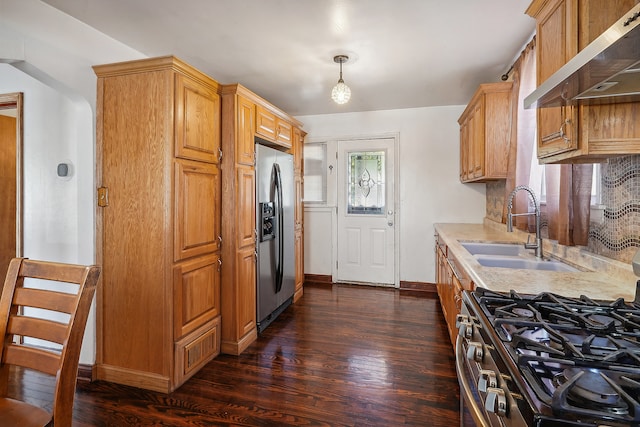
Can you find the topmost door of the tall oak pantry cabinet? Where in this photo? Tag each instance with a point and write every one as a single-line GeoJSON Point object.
{"type": "Point", "coordinates": [197, 121]}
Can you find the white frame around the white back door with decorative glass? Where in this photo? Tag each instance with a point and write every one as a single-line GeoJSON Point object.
{"type": "Point", "coordinates": [396, 205]}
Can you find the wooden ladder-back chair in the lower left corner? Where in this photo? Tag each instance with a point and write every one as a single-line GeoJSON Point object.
{"type": "Point", "coordinates": [15, 325]}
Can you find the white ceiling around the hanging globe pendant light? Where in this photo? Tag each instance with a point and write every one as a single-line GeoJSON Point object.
{"type": "Point", "coordinates": [403, 53]}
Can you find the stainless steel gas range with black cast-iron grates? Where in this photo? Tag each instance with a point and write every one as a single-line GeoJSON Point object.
{"type": "Point", "coordinates": [548, 360]}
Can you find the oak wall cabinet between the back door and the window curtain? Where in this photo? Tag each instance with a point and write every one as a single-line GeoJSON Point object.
{"type": "Point", "coordinates": [485, 133]}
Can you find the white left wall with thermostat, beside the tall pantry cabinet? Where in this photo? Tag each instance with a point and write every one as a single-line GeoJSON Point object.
{"type": "Point", "coordinates": [48, 55]}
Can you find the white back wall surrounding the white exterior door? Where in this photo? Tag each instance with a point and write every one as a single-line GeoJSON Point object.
{"type": "Point", "coordinates": [430, 188]}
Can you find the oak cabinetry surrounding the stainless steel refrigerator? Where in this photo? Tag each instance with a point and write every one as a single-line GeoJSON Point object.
{"type": "Point", "coordinates": [245, 117]}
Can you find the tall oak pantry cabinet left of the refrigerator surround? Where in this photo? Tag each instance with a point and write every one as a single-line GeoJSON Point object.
{"type": "Point", "coordinates": [158, 222]}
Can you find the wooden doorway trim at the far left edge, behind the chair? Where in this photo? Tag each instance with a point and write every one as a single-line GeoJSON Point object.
{"type": "Point", "coordinates": [15, 101]}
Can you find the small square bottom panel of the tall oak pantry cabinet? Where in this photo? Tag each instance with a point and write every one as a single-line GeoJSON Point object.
{"type": "Point", "coordinates": [195, 350]}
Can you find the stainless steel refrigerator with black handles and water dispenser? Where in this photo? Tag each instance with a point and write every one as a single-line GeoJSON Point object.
{"type": "Point", "coordinates": [274, 217]}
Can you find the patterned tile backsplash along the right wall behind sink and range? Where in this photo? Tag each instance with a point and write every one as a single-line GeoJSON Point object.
{"type": "Point", "coordinates": [617, 236]}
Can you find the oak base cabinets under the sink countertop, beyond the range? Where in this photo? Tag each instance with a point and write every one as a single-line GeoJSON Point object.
{"type": "Point", "coordinates": [451, 281]}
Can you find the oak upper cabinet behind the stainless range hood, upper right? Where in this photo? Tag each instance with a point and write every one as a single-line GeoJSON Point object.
{"type": "Point", "coordinates": [582, 133]}
